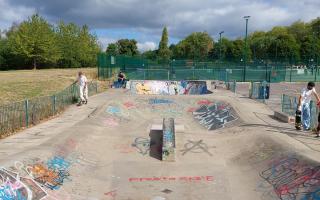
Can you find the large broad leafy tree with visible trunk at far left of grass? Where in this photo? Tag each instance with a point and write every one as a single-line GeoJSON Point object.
{"type": "Point", "coordinates": [35, 39]}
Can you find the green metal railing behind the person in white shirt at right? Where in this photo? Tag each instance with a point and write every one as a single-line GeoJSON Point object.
{"type": "Point", "coordinates": [289, 106]}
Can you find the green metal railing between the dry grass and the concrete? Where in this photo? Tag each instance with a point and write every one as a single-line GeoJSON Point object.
{"type": "Point", "coordinates": [21, 114]}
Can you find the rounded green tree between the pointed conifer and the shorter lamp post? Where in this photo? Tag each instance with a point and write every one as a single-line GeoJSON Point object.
{"type": "Point", "coordinates": [195, 46]}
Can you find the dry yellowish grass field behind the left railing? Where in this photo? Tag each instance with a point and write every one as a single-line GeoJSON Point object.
{"type": "Point", "coordinates": [25, 84]}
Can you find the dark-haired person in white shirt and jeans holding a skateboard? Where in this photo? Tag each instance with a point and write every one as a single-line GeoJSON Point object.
{"type": "Point", "coordinates": [304, 104]}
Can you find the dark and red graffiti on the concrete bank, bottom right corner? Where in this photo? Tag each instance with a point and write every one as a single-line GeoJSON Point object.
{"type": "Point", "coordinates": [292, 179]}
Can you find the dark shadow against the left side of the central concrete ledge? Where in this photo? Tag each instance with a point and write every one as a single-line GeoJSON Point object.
{"type": "Point", "coordinates": [156, 144]}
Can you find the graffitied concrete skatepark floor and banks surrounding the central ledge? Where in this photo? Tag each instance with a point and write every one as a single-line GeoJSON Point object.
{"type": "Point", "coordinates": [227, 148]}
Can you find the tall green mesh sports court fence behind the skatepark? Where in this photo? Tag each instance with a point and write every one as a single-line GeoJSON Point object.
{"type": "Point", "coordinates": [139, 68]}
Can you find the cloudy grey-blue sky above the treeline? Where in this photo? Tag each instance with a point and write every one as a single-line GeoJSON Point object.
{"type": "Point", "coordinates": [143, 20]}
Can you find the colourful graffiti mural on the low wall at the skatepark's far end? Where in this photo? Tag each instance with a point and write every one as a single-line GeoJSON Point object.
{"type": "Point", "coordinates": [169, 87]}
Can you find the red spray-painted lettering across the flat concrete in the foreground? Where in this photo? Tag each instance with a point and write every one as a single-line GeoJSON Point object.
{"type": "Point", "coordinates": [173, 178]}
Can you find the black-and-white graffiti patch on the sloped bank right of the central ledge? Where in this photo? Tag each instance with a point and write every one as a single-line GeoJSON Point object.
{"type": "Point", "coordinates": [214, 116]}
